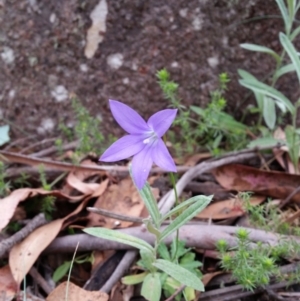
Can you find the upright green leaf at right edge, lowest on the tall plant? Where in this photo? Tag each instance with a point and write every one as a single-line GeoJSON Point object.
{"type": "Point", "coordinates": [293, 141]}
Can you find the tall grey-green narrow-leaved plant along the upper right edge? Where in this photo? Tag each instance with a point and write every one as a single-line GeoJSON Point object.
{"type": "Point", "coordinates": [267, 96]}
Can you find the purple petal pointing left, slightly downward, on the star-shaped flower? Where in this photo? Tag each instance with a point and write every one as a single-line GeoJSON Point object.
{"type": "Point", "coordinates": [123, 148]}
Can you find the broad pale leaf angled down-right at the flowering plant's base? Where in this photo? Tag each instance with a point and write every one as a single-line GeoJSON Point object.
{"type": "Point", "coordinates": [180, 274]}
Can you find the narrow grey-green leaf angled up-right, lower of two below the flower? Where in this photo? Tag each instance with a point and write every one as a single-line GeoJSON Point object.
{"type": "Point", "coordinates": [187, 215]}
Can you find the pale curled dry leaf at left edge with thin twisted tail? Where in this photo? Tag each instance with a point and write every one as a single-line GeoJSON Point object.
{"type": "Point", "coordinates": [9, 203]}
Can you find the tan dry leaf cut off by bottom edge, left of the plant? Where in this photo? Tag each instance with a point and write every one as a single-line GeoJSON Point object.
{"type": "Point", "coordinates": [75, 293]}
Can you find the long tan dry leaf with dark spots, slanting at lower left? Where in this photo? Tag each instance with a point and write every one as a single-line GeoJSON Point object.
{"type": "Point", "coordinates": [23, 255]}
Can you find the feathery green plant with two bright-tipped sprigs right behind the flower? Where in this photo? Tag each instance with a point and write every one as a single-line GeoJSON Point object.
{"type": "Point", "coordinates": [210, 127]}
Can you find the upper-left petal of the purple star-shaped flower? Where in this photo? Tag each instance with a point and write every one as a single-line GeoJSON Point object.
{"type": "Point", "coordinates": [127, 118]}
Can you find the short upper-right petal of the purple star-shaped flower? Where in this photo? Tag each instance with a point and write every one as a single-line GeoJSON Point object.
{"type": "Point", "coordinates": [161, 121]}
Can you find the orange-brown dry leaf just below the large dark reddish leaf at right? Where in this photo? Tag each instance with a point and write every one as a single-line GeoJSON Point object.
{"type": "Point", "coordinates": [228, 209]}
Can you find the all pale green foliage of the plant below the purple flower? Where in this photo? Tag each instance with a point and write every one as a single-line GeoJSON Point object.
{"type": "Point", "coordinates": [178, 266]}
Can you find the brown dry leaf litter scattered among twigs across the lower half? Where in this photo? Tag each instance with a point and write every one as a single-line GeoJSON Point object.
{"type": "Point", "coordinates": [83, 187]}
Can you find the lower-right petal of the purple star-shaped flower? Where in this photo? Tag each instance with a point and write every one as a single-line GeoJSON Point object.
{"type": "Point", "coordinates": [161, 156]}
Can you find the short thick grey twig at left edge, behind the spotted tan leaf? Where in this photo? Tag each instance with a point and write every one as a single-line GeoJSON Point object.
{"type": "Point", "coordinates": [8, 243]}
